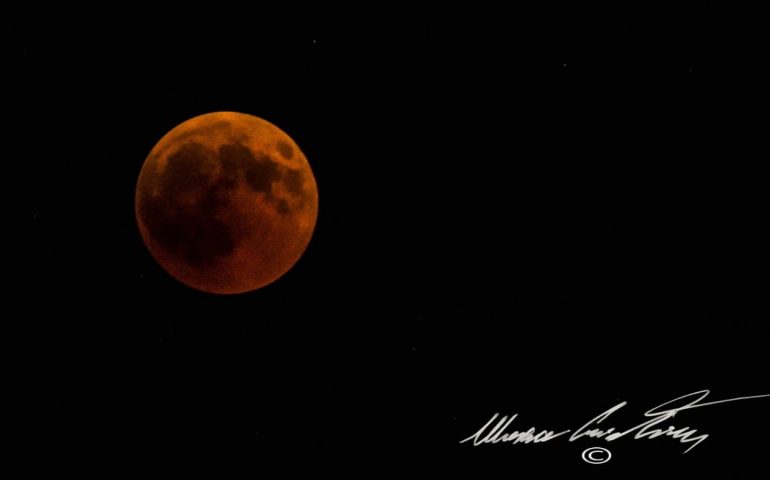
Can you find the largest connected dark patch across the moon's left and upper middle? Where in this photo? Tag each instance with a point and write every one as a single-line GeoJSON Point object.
{"type": "Point", "coordinates": [183, 218]}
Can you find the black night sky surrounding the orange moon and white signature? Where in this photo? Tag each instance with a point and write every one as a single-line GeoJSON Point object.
{"type": "Point", "coordinates": [519, 213]}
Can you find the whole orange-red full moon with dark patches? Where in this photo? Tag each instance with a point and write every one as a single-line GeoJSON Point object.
{"type": "Point", "coordinates": [226, 202]}
